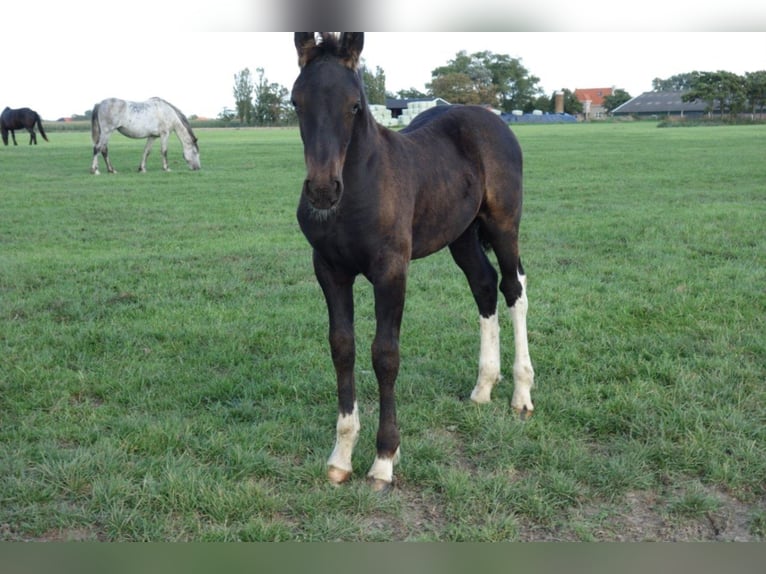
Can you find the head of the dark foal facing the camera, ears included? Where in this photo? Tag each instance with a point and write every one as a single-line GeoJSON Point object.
{"type": "Point", "coordinates": [328, 97]}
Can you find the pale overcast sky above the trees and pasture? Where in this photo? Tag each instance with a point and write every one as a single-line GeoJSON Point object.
{"type": "Point", "coordinates": [62, 65]}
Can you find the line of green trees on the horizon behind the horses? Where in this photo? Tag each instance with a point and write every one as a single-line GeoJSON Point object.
{"type": "Point", "coordinates": [497, 80]}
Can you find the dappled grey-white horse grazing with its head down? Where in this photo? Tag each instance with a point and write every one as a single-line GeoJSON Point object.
{"type": "Point", "coordinates": [154, 118]}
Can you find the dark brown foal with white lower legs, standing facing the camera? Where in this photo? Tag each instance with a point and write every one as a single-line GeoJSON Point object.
{"type": "Point", "coordinates": [374, 199]}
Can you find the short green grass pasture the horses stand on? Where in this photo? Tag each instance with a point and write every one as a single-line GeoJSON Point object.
{"type": "Point", "coordinates": [165, 374]}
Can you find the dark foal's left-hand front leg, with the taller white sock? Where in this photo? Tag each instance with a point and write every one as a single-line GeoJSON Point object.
{"type": "Point", "coordinates": [338, 292]}
